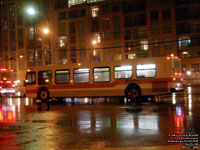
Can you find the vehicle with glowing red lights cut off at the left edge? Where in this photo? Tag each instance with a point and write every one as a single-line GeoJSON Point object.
{"type": "Point", "coordinates": [7, 85]}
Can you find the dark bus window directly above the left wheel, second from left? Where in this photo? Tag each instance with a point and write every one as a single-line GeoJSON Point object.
{"type": "Point", "coordinates": [44, 77]}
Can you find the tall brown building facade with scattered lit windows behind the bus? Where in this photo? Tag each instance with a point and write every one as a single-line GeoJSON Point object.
{"type": "Point", "coordinates": [99, 30]}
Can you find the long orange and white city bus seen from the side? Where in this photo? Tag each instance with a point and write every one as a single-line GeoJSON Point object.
{"type": "Point", "coordinates": [123, 78]}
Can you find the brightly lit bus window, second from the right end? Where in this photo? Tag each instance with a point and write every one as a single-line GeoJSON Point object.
{"type": "Point", "coordinates": [123, 72]}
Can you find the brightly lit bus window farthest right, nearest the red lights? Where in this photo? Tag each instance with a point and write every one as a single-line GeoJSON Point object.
{"type": "Point", "coordinates": [146, 71]}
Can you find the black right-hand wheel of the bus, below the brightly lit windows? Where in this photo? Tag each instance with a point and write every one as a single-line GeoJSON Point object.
{"type": "Point", "coordinates": [133, 92]}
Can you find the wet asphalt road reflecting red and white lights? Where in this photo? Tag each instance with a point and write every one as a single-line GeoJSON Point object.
{"type": "Point", "coordinates": [97, 126]}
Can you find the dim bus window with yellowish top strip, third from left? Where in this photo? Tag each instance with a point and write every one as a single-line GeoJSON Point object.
{"type": "Point", "coordinates": [62, 76]}
